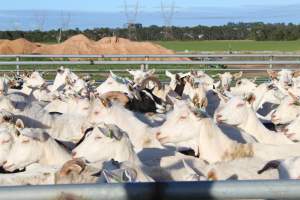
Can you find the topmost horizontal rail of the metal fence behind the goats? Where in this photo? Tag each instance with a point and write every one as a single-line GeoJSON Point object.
{"type": "Point", "coordinates": [145, 55]}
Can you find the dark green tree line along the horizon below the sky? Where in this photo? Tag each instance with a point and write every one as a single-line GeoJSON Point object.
{"type": "Point", "coordinates": [232, 31]}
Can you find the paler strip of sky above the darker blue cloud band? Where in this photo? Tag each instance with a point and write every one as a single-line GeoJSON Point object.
{"type": "Point", "coordinates": [145, 5]}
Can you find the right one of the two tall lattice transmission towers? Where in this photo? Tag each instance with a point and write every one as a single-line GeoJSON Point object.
{"type": "Point", "coordinates": [168, 14]}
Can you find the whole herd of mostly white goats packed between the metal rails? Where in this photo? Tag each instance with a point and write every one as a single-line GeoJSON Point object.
{"type": "Point", "coordinates": [194, 128]}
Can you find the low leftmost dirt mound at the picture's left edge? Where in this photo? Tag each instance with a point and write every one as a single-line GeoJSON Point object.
{"type": "Point", "coordinates": [18, 46]}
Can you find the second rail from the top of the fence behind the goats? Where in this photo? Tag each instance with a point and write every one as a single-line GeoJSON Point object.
{"type": "Point", "coordinates": [286, 62]}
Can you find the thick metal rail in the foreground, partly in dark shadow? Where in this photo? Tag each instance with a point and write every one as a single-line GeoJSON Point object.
{"type": "Point", "coordinates": [148, 191]}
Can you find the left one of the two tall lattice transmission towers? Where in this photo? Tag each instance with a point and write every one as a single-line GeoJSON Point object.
{"type": "Point", "coordinates": [131, 19]}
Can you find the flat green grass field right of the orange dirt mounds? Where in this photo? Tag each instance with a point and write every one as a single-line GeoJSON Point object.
{"type": "Point", "coordinates": [234, 45]}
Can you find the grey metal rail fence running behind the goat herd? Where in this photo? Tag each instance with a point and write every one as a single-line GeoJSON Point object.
{"type": "Point", "coordinates": [201, 59]}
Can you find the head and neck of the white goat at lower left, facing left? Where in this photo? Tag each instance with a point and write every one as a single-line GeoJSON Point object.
{"type": "Point", "coordinates": [34, 146]}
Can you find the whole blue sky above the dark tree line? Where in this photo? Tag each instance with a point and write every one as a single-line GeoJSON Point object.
{"type": "Point", "coordinates": [22, 14]}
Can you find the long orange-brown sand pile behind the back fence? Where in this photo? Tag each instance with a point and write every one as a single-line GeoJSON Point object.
{"type": "Point", "coordinates": [80, 44]}
